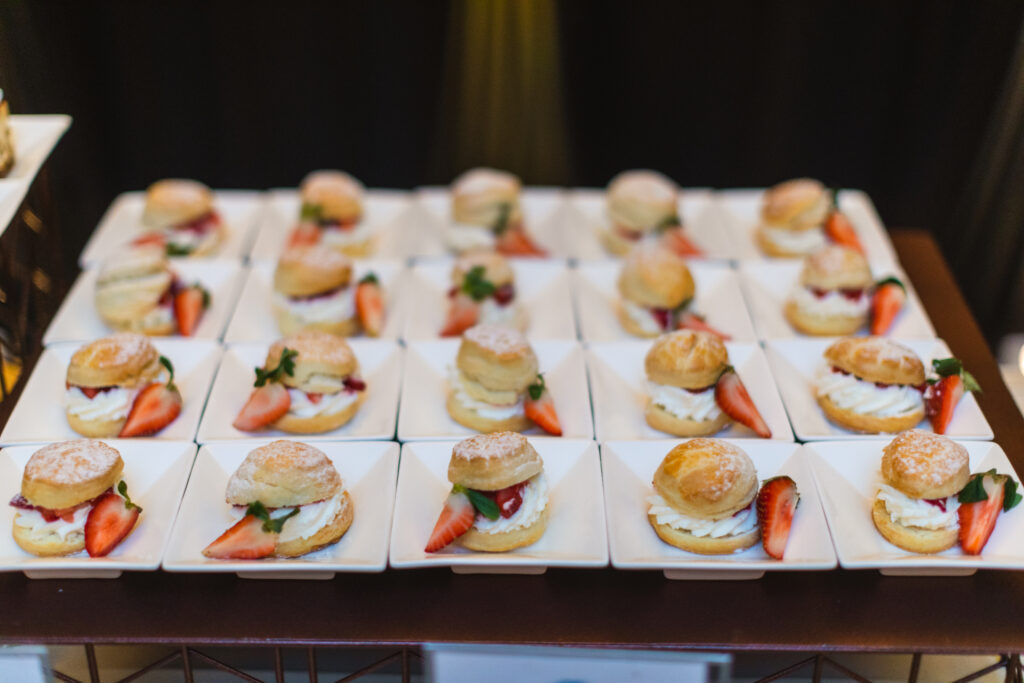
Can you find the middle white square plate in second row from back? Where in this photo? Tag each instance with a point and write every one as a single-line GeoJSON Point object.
{"type": "Point", "coordinates": [542, 291]}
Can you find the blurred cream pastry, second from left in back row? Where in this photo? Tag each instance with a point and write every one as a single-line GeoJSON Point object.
{"type": "Point", "coordinates": [331, 215]}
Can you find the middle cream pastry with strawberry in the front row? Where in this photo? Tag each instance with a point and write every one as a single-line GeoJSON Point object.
{"type": "Point", "coordinates": [499, 498]}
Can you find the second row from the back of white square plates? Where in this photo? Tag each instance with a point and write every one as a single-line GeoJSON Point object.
{"type": "Point", "coordinates": [745, 301]}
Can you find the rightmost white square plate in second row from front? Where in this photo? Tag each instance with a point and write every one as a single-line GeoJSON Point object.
{"type": "Point", "coordinates": [795, 363]}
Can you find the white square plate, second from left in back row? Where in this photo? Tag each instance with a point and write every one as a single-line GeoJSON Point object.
{"type": "Point", "coordinates": [383, 210]}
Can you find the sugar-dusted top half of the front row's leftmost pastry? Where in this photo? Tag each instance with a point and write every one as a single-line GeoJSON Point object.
{"type": "Point", "coordinates": [68, 474]}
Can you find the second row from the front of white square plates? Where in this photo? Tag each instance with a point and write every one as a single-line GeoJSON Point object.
{"type": "Point", "coordinates": [599, 389]}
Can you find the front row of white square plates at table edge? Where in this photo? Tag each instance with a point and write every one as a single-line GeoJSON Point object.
{"type": "Point", "coordinates": [598, 514]}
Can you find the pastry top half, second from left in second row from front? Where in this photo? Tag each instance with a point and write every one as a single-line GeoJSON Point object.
{"type": "Point", "coordinates": [323, 362]}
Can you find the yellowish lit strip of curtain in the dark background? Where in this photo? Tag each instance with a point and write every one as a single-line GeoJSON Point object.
{"type": "Point", "coordinates": [501, 103]}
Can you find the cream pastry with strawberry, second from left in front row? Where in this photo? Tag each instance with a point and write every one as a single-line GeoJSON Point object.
{"type": "Point", "coordinates": [290, 501]}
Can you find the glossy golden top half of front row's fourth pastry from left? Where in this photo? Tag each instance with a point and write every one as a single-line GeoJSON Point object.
{"type": "Point", "coordinates": [707, 479]}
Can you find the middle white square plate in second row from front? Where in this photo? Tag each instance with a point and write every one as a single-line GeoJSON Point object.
{"type": "Point", "coordinates": [424, 390]}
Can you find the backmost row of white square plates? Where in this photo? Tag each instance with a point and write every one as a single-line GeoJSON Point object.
{"type": "Point", "coordinates": [567, 223]}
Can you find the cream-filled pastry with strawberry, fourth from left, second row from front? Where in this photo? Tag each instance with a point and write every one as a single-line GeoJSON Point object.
{"type": "Point", "coordinates": [694, 390]}
